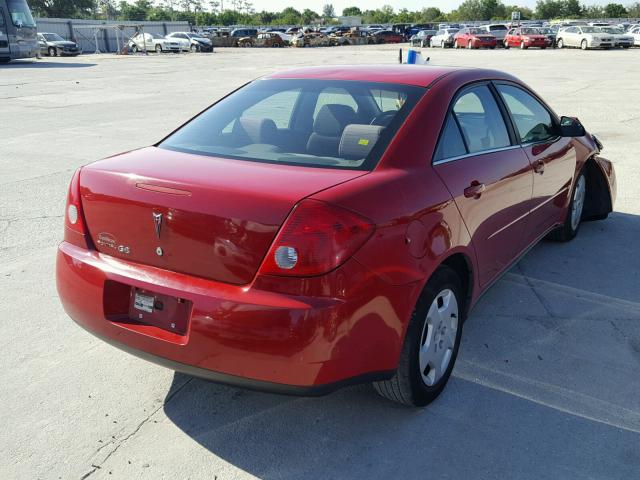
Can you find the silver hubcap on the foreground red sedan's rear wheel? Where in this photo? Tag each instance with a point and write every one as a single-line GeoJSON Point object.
{"type": "Point", "coordinates": [438, 337]}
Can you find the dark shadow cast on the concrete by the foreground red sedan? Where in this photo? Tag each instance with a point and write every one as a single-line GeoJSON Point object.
{"type": "Point", "coordinates": [545, 387]}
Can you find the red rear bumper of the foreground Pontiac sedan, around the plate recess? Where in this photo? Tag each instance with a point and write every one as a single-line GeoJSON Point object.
{"type": "Point", "coordinates": [243, 335]}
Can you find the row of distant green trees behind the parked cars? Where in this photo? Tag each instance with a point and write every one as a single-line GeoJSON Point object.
{"type": "Point", "coordinates": [242, 12]}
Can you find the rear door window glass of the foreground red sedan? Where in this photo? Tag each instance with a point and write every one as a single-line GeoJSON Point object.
{"type": "Point", "coordinates": [481, 120]}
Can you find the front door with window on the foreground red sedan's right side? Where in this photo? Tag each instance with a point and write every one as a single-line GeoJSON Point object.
{"type": "Point", "coordinates": [552, 157]}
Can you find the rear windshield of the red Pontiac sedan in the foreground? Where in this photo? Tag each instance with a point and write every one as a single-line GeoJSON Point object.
{"type": "Point", "coordinates": [318, 123]}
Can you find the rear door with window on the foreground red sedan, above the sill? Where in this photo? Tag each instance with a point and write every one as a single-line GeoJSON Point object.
{"type": "Point", "coordinates": [488, 175]}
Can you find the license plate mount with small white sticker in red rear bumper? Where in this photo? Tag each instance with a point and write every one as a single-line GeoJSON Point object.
{"type": "Point", "coordinates": [162, 311]}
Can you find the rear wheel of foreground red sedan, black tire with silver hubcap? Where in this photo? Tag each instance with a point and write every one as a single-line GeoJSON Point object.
{"type": "Point", "coordinates": [431, 343]}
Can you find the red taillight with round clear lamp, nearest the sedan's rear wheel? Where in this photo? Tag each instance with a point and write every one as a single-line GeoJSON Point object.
{"type": "Point", "coordinates": [316, 238]}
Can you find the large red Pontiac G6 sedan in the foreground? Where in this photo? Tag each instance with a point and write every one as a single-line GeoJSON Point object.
{"type": "Point", "coordinates": [325, 226]}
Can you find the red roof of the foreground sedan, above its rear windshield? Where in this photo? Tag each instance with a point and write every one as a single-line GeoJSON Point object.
{"type": "Point", "coordinates": [418, 75]}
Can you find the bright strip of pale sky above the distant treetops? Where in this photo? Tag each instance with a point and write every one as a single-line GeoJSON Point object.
{"type": "Point", "coordinates": [316, 5]}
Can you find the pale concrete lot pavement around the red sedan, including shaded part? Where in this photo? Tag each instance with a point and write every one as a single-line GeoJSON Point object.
{"type": "Point", "coordinates": [547, 383]}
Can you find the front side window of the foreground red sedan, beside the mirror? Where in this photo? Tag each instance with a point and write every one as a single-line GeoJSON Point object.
{"type": "Point", "coordinates": [533, 122]}
